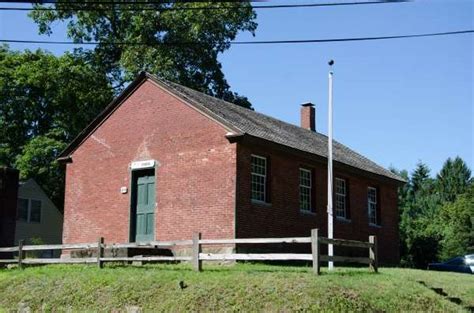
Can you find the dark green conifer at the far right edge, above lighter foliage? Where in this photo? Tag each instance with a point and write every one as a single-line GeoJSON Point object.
{"type": "Point", "coordinates": [453, 179]}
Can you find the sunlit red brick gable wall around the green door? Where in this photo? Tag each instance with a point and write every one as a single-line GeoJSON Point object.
{"type": "Point", "coordinates": [195, 177]}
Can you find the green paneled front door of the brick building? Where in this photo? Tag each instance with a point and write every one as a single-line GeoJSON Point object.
{"type": "Point", "coordinates": [145, 210]}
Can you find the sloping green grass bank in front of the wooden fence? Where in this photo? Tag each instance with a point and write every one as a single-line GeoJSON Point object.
{"type": "Point", "coordinates": [241, 287]}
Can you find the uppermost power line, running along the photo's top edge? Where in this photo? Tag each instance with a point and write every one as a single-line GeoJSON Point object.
{"type": "Point", "coordinates": [148, 8]}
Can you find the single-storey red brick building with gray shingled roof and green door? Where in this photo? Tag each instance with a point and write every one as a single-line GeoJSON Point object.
{"type": "Point", "coordinates": [163, 161]}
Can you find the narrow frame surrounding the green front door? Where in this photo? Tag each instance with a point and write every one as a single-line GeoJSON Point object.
{"type": "Point", "coordinates": [133, 174]}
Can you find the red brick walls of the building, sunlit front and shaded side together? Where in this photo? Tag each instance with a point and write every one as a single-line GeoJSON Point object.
{"type": "Point", "coordinates": [196, 181]}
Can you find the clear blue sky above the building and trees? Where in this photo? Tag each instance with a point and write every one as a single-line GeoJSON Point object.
{"type": "Point", "coordinates": [396, 101]}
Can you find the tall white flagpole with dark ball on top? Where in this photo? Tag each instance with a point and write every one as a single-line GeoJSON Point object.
{"type": "Point", "coordinates": [330, 168]}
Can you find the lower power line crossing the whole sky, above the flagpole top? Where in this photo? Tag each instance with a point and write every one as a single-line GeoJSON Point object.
{"type": "Point", "coordinates": [262, 42]}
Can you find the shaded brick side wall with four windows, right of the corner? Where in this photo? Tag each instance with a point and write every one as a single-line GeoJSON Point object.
{"type": "Point", "coordinates": [283, 218]}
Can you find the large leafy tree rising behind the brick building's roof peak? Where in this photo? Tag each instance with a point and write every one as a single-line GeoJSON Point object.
{"type": "Point", "coordinates": [175, 42]}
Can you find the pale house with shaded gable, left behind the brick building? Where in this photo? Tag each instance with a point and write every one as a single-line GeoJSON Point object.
{"type": "Point", "coordinates": [38, 219]}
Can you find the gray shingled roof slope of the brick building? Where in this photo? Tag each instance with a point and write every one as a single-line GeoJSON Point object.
{"type": "Point", "coordinates": [269, 128]}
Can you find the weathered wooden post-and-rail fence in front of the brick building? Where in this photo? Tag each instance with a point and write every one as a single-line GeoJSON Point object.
{"type": "Point", "coordinates": [197, 256]}
